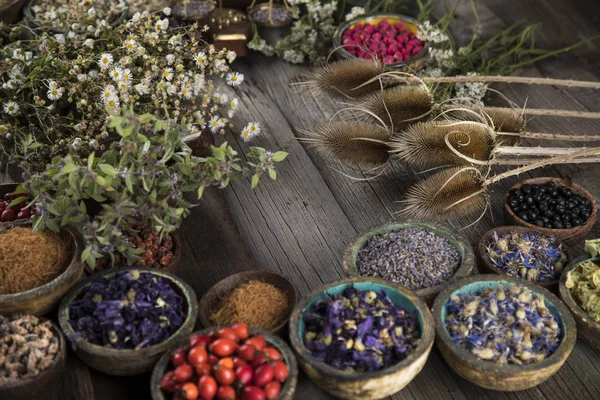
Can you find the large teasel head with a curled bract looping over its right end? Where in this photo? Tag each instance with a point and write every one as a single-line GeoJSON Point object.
{"type": "Point", "coordinates": [424, 144]}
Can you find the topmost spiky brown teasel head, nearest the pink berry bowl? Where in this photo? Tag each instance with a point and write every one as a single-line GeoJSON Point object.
{"type": "Point", "coordinates": [342, 78]}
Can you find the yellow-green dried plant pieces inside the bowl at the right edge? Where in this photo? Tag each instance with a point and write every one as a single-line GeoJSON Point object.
{"type": "Point", "coordinates": [584, 284]}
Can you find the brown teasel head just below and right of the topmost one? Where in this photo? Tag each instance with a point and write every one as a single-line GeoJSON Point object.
{"type": "Point", "coordinates": [399, 106]}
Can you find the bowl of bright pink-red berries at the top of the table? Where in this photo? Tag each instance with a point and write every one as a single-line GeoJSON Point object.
{"type": "Point", "coordinates": [391, 39]}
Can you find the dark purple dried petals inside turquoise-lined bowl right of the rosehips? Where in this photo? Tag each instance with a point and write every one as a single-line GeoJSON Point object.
{"type": "Point", "coordinates": [360, 330]}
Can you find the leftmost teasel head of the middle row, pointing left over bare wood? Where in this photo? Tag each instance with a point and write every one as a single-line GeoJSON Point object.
{"type": "Point", "coordinates": [355, 143]}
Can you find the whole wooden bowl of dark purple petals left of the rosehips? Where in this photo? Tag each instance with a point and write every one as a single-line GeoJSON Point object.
{"type": "Point", "coordinates": [121, 321]}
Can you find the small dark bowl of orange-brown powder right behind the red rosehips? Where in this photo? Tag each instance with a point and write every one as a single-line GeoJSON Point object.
{"type": "Point", "coordinates": [259, 298]}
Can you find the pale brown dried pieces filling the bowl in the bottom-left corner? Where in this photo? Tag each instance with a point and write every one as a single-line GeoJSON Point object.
{"type": "Point", "coordinates": [27, 347]}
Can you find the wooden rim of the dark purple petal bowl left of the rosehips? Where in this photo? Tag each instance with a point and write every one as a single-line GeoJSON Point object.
{"type": "Point", "coordinates": [81, 344]}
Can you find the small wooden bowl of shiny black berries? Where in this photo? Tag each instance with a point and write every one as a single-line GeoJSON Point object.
{"type": "Point", "coordinates": [553, 206]}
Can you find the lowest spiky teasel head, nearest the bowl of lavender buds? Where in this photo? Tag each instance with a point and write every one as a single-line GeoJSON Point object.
{"type": "Point", "coordinates": [453, 192]}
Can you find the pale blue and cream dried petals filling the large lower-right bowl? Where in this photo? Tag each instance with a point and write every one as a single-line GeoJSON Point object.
{"type": "Point", "coordinates": [506, 325]}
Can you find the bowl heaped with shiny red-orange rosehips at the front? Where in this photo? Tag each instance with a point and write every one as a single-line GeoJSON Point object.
{"type": "Point", "coordinates": [227, 363]}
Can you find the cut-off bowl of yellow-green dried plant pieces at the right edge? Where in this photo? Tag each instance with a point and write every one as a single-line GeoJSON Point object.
{"type": "Point", "coordinates": [580, 291]}
